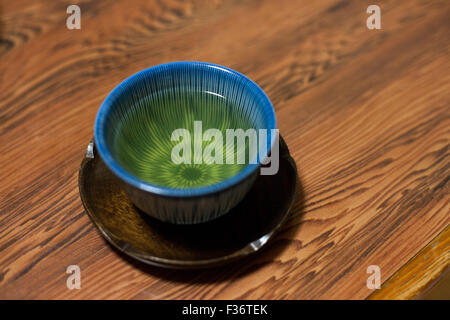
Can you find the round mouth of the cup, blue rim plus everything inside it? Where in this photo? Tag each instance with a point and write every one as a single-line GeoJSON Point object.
{"type": "Point", "coordinates": [135, 126]}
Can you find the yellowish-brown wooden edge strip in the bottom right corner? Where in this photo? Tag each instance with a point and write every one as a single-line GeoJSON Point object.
{"type": "Point", "coordinates": [421, 273]}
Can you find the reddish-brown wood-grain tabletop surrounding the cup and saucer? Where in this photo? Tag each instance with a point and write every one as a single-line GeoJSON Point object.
{"type": "Point", "coordinates": [366, 114]}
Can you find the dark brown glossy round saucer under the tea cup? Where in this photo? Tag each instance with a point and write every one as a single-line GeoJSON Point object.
{"type": "Point", "coordinates": [244, 230]}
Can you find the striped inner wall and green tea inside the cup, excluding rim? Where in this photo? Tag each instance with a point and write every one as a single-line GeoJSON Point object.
{"type": "Point", "coordinates": [140, 127]}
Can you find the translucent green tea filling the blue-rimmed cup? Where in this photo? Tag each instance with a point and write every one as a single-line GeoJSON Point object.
{"type": "Point", "coordinates": [143, 146]}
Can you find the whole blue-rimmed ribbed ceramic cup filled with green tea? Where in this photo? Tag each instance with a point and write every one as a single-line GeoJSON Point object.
{"type": "Point", "coordinates": [137, 122]}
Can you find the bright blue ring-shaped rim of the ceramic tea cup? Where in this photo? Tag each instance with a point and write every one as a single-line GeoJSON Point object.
{"type": "Point", "coordinates": [121, 173]}
